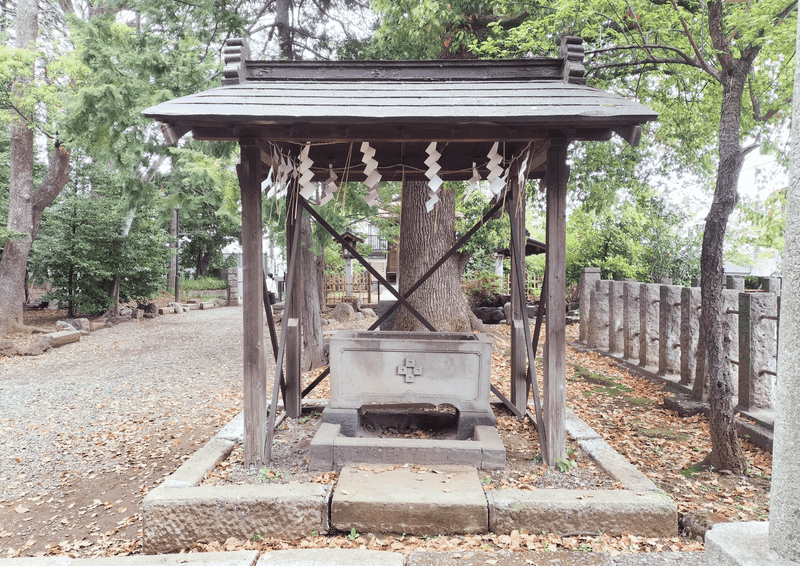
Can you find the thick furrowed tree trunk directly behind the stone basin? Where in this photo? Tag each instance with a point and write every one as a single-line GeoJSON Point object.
{"type": "Point", "coordinates": [424, 238]}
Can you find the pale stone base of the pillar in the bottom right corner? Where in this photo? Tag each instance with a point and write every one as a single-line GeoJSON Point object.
{"type": "Point", "coordinates": [742, 544]}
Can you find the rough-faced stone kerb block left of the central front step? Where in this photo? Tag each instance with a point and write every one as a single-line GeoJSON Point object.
{"type": "Point", "coordinates": [175, 518]}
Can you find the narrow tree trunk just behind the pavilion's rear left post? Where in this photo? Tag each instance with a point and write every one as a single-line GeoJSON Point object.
{"type": "Point", "coordinates": [313, 348]}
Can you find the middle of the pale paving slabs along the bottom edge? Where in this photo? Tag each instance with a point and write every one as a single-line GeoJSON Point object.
{"type": "Point", "coordinates": [331, 557]}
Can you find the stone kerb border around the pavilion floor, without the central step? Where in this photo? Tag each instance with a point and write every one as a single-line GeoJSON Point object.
{"type": "Point", "coordinates": [180, 511]}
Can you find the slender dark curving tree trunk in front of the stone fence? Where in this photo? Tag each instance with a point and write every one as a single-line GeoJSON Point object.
{"type": "Point", "coordinates": [726, 451]}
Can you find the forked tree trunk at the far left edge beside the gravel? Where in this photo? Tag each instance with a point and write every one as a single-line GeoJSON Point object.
{"type": "Point", "coordinates": [25, 206]}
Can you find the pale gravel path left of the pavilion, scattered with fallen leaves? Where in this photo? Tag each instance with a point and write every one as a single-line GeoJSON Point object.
{"type": "Point", "coordinates": [90, 427]}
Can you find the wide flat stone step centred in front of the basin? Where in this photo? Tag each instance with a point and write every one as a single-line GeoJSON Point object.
{"type": "Point", "coordinates": [421, 501]}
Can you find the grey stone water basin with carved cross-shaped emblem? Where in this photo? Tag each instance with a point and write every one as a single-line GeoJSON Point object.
{"type": "Point", "coordinates": [410, 368]}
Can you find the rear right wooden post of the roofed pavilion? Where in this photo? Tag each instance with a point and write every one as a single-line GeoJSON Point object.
{"type": "Point", "coordinates": [519, 307]}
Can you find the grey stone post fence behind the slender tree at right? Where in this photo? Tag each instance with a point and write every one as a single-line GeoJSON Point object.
{"type": "Point", "coordinates": [656, 327]}
